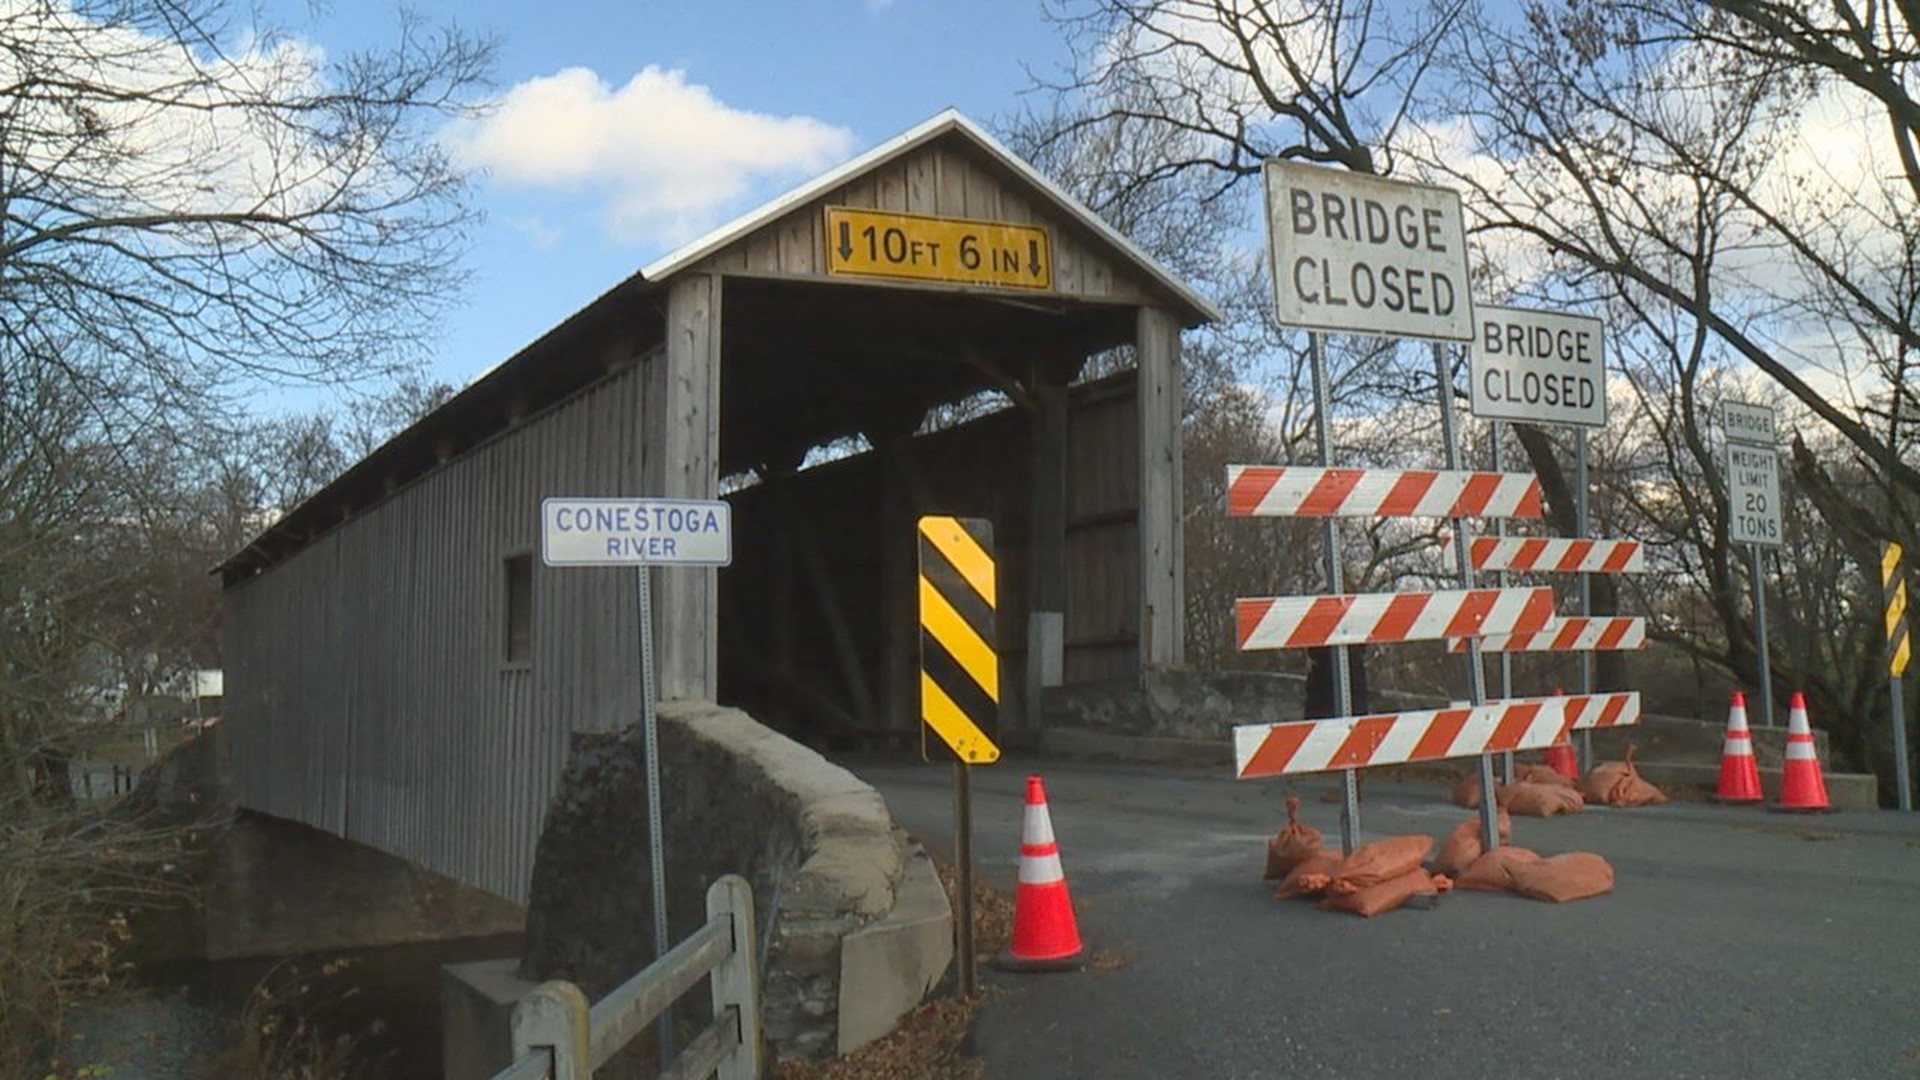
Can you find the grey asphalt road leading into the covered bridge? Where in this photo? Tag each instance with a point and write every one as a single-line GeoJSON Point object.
{"type": "Point", "coordinates": [1737, 943]}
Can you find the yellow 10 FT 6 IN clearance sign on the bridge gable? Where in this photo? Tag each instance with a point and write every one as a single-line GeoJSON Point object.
{"type": "Point", "coordinates": [867, 243]}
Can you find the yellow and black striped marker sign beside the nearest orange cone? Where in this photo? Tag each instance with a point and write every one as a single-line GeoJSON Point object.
{"type": "Point", "coordinates": [959, 668]}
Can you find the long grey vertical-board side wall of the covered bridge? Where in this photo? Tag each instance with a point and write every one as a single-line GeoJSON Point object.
{"type": "Point", "coordinates": [366, 683]}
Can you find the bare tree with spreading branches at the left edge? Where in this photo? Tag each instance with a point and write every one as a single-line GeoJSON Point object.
{"type": "Point", "coordinates": [191, 209]}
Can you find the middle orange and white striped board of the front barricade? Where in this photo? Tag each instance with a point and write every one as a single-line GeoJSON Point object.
{"type": "Point", "coordinates": [1381, 618]}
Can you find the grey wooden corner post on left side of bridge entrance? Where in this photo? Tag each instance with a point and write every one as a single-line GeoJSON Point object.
{"type": "Point", "coordinates": [686, 435]}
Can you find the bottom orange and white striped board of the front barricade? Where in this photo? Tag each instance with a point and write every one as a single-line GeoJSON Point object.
{"type": "Point", "coordinates": [1431, 735]}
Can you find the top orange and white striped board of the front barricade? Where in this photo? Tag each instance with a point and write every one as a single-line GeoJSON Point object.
{"type": "Point", "coordinates": [1285, 491]}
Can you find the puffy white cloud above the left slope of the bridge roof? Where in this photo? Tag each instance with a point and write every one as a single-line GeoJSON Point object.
{"type": "Point", "coordinates": [663, 153]}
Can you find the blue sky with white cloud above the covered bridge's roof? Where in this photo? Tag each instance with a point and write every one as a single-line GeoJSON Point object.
{"type": "Point", "coordinates": [629, 128]}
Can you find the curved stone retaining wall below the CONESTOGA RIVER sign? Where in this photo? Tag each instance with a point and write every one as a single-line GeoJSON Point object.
{"type": "Point", "coordinates": [815, 841]}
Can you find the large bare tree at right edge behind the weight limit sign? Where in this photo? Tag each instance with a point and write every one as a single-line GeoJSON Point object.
{"type": "Point", "coordinates": [1648, 159]}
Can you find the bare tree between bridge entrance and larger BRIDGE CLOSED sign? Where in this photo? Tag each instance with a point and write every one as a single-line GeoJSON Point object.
{"type": "Point", "coordinates": [1166, 112]}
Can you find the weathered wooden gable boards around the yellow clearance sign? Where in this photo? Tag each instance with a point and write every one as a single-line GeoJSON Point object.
{"type": "Point", "coordinates": [942, 180]}
